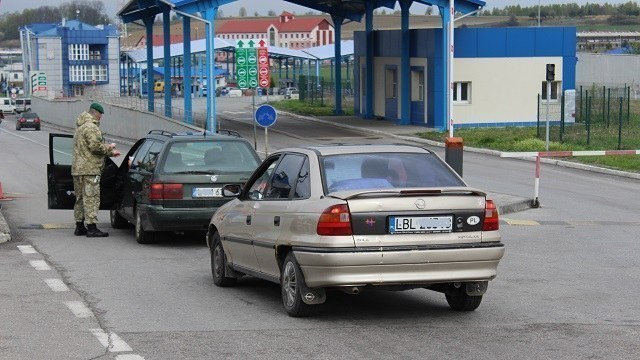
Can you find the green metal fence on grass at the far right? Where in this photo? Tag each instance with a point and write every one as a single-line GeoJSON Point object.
{"type": "Point", "coordinates": [605, 118]}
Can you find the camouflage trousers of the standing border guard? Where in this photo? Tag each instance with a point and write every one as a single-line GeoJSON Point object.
{"type": "Point", "coordinates": [87, 191]}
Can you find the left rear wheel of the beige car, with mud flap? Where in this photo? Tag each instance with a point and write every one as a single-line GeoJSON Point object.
{"type": "Point", "coordinates": [290, 281]}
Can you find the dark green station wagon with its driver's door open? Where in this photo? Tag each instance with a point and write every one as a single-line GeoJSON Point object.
{"type": "Point", "coordinates": [166, 183]}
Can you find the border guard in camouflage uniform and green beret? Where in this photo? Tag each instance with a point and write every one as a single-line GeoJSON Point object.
{"type": "Point", "coordinates": [89, 152]}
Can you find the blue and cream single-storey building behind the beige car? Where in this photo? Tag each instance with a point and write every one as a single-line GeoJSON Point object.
{"type": "Point", "coordinates": [498, 74]}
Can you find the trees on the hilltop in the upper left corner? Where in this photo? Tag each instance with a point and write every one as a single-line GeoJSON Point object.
{"type": "Point", "coordinates": [91, 12]}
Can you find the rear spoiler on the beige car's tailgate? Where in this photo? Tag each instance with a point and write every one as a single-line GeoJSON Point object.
{"type": "Point", "coordinates": [346, 195]}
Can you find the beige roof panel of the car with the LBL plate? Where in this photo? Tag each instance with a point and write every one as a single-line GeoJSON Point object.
{"type": "Point", "coordinates": [337, 149]}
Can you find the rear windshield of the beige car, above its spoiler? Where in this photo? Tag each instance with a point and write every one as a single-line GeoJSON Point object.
{"type": "Point", "coordinates": [386, 171]}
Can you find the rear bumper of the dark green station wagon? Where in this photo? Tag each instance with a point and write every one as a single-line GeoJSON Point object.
{"type": "Point", "coordinates": [158, 218]}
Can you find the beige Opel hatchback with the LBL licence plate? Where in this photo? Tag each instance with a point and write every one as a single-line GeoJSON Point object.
{"type": "Point", "coordinates": [353, 217]}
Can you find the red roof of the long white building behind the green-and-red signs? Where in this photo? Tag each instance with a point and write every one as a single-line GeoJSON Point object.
{"type": "Point", "coordinates": [262, 25]}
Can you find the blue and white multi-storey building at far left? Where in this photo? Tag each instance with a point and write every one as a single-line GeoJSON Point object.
{"type": "Point", "coordinates": [76, 57]}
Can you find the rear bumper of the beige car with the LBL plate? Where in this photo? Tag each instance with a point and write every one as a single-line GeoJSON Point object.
{"type": "Point", "coordinates": [359, 267]}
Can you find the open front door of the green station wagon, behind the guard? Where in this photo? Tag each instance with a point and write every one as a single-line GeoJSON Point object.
{"type": "Point", "coordinates": [60, 182]}
